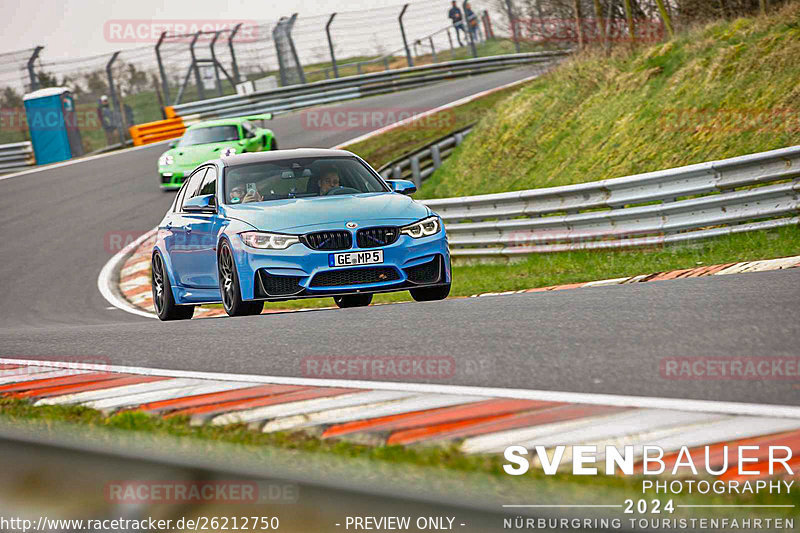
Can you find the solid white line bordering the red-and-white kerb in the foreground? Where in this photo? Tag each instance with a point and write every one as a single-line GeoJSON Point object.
{"type": "Point", "coordinates": [651, 402]}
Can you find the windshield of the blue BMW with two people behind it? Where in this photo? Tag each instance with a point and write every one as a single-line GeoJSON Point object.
{"type": "Point", "coordinates": [299, 178]}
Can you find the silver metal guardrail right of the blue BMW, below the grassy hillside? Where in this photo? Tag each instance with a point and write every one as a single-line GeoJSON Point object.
{"type": "Point", "coordinates": [698, 201]}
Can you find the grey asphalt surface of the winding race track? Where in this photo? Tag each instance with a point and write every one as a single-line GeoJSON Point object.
{"type": "Point", "coordinates": [605, 340]}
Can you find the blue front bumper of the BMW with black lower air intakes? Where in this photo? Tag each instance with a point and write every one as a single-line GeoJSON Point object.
{"type": "Point", "coordinates": [300, 272]}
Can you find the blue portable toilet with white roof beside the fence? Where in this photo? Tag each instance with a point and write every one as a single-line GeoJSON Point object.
{"type": "Point", "coordinates": [53, 125]}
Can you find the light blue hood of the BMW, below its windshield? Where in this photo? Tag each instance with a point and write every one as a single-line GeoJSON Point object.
{"type": "Point", "coordinates": [328, 212]}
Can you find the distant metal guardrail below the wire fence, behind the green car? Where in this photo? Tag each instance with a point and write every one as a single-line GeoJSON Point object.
{"type": "Point", "coordinates": [327, 91]}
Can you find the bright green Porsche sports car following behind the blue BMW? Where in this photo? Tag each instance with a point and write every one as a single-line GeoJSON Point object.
{"type": "Point", "coordinates": [210, 140]}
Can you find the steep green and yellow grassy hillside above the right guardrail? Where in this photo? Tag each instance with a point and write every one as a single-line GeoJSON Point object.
{"type": "Point", "coordinates": [729, 88]}
